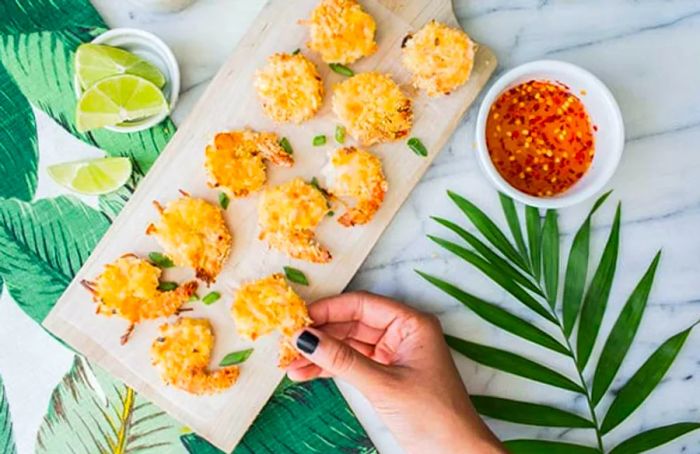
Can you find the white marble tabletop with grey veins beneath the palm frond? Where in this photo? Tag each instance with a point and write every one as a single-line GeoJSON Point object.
{"type": "Point", "coordinates": [648, 53]}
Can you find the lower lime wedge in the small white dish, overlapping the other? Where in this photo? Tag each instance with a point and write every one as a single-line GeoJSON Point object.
{"type": "Point", "coordinates": [118, 99]}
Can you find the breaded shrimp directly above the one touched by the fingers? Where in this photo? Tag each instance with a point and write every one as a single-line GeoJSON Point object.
{"type": "Point", "coordinates": [288, 215]}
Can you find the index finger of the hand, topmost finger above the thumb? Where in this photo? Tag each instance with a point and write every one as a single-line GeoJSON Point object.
{"type": "Point", "coordinates": [372, 310]}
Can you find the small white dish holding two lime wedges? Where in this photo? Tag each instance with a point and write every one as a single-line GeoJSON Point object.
{"type": "Point", "coordinates": [151, 48]}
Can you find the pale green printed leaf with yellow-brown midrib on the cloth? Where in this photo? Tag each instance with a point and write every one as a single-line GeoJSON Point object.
{"type": "Point", "coordinates": [90, 412]}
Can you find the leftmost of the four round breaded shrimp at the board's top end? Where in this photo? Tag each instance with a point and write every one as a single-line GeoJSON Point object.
{"type": "Point", "coordinates": [289, 87]}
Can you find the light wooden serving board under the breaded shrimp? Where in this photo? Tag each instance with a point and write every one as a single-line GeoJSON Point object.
{"type": "Point", "coordinates": [230, 103]}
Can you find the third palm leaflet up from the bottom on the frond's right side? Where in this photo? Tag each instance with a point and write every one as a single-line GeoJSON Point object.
{"type": "Point", "coordinates": [622, 333]}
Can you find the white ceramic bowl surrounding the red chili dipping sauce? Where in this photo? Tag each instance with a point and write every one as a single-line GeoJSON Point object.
{"type": "Point", "coordinates": [602, 109]}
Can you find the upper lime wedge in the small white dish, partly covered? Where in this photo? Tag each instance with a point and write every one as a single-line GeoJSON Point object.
{"type": "Point", "coordinates": [94, 62]}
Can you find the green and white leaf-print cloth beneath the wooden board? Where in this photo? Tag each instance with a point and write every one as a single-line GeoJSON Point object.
{"type": "Point", "coordinates": [46, 234]}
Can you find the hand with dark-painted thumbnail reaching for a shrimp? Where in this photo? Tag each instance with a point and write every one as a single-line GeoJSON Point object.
{"type": "Point", "coordinates": [397, 358]}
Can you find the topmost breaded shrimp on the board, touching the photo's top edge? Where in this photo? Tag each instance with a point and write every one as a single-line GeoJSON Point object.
{"type": "Point", "coordinates": [341, 31]}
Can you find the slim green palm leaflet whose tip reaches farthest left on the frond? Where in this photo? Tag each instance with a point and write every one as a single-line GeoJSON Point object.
{"type": "Point", "coordinates": [497, 316]}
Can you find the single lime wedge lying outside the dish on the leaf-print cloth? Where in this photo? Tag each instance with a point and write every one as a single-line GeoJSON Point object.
{"type": "Point", "coordinates": [92, 176]}
